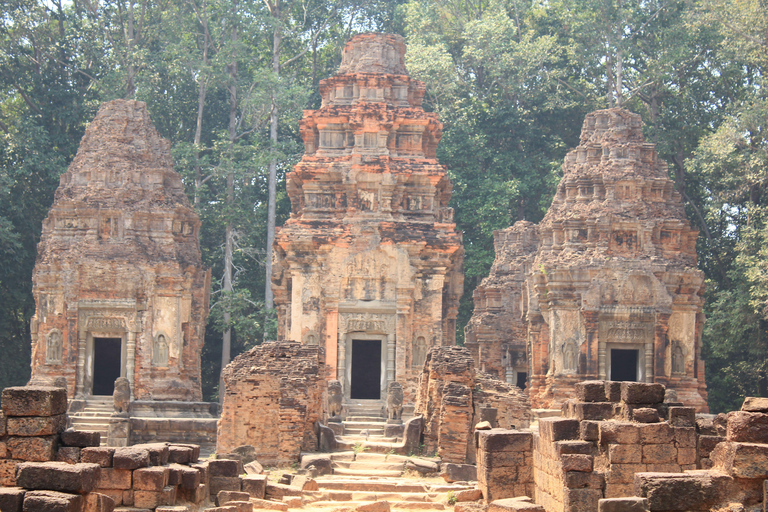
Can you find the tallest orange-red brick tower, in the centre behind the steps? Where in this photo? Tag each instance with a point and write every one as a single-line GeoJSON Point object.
{"type": "Point", "coordinates": [369, 263]}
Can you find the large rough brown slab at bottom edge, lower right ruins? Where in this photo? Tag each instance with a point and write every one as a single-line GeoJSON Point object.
{"type": "Point", "coordinates": [690, 491]}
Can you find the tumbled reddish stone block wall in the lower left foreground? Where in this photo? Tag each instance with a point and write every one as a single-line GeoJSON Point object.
{"type": "Point", "coordinates": [44, 467]}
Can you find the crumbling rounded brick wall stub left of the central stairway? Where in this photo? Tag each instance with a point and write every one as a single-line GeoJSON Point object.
{"type": "Point", "coordinates": [273, 397]}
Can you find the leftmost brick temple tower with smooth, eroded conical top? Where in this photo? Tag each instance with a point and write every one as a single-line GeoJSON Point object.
{"type": "Point", "coordinates": [119, 284]}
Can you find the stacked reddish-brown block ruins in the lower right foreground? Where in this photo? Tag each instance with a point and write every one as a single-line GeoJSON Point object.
{"type": "Point", "coordinates": [621, 440]}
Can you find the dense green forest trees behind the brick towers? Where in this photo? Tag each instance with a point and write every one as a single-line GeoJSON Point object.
{"type": "Point", "coordinates": [510, 80]}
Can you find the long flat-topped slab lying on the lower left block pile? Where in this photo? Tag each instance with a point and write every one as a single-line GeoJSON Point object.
{"type": "Point", "coordinates": [58, 476]}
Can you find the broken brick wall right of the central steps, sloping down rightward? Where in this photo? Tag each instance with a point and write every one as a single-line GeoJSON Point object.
{"type": "Point", "coordinates": [450, 394]}
